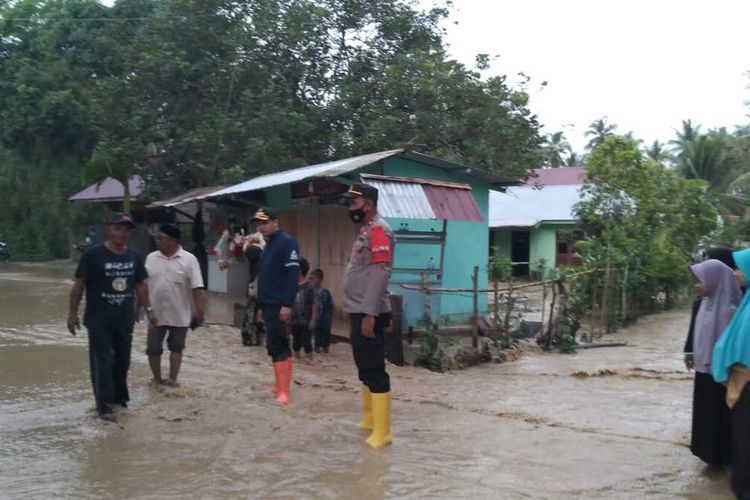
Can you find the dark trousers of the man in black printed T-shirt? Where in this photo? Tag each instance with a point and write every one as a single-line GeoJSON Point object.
{"type": "Point", "coordinates": [109, 361]}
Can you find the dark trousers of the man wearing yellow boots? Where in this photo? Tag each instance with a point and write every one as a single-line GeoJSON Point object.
{"type": "Point", "coordinates": [369, 353]}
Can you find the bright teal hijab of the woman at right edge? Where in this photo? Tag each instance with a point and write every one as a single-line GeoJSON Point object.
{"type": "Point", "coordinates": [734, 344]}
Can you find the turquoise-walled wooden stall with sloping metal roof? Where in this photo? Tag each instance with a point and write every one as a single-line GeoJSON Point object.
{"type": "Point", "coordinates": [439, 211]}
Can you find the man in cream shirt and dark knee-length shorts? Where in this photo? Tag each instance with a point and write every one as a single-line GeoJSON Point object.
{"type": "Point", "coordinates": [174, 278]}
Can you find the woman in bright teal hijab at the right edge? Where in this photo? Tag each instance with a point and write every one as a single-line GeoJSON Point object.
{"type": "Point", "coordinates": [729, 365]}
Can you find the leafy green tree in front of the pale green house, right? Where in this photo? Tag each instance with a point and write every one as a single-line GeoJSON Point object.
{"type": "Point", "coordinates": [643, 222]}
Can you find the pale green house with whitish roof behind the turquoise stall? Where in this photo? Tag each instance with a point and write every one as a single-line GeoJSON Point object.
{"type": "Point", "coordinates": [534, 225]}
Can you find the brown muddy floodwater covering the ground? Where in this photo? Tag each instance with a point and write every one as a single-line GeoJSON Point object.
{"type": "Point", "coordinates": [604, 423]}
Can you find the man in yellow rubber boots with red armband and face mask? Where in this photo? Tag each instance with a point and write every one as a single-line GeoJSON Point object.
{"type": "Point", "coordinates": [365, 298]}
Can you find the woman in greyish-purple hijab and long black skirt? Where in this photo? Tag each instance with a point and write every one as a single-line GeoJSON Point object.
{"type": "Point", "coordinates": [711, 432]}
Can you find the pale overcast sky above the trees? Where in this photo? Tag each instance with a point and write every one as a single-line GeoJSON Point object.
{"type": "Point", "coordinates": [644, 64]}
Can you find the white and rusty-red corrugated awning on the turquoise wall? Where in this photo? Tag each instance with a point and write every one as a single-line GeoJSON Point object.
{"type": "Point", "coordinates": [424, 199]}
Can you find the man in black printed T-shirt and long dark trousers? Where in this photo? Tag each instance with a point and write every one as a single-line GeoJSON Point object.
{"type": "Point", "coordinates": [112, 274]}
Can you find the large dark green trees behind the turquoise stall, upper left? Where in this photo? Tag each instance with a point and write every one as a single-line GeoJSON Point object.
{"type": "Point", "coordinates": [192, 93]}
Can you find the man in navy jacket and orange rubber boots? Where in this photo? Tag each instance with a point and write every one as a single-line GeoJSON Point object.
{"type": "Point", "coordinates": [278, 275]}
